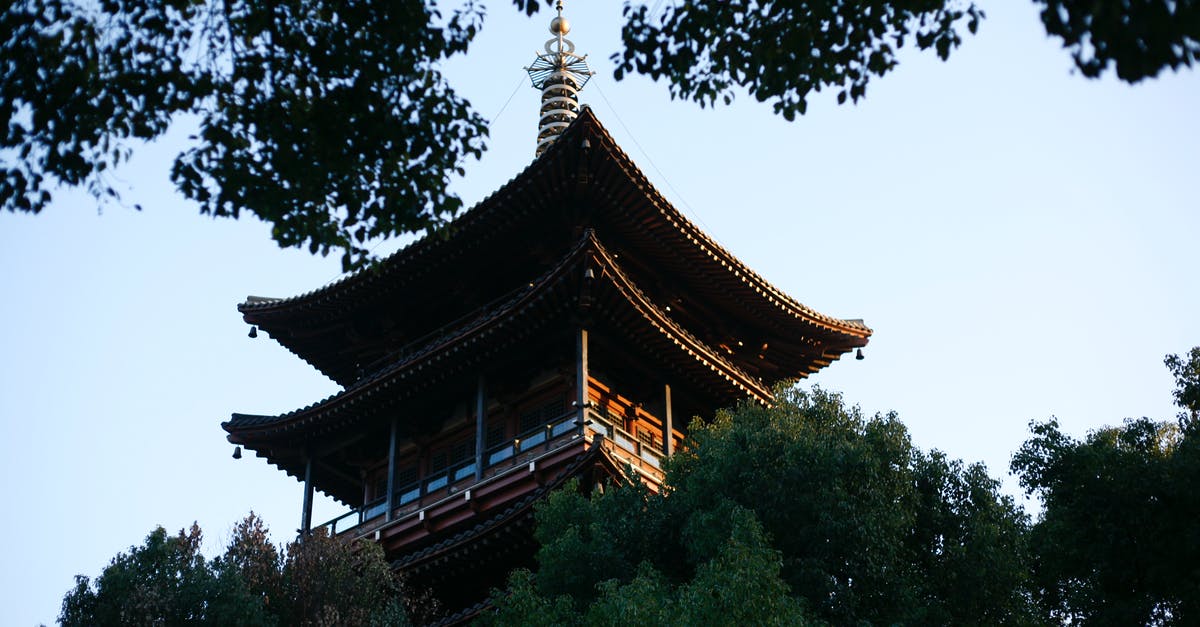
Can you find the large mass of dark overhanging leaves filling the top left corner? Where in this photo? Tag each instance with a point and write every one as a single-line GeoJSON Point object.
{"type": "Point", "coordinates": [329, 121]}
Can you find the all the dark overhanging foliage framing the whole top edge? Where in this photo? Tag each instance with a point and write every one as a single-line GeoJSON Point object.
{"type": "Point", "coordinates": [334, 123]}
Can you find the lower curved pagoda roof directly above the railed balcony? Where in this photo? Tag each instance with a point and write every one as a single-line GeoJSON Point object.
{"type": "Point", "coordinates": [589, 278]}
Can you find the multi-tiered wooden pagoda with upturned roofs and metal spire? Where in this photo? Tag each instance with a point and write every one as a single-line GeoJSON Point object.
{"type": "Point", "coordinates": [568, 326]}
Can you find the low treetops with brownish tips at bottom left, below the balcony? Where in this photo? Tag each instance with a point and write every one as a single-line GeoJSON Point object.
{"type": "Point", "coordinates": [321, 582]}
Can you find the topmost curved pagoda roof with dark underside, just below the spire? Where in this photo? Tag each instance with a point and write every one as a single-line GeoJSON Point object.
{"type": "Point", "coordinates": [611, 194]}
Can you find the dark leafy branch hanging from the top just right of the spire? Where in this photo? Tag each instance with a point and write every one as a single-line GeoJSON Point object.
{"type": "Point", "coordinates": [782, 52]}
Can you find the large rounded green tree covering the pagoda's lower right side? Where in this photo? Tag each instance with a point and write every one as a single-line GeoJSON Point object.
{"type": "Point", "coordinates": [836, 518]}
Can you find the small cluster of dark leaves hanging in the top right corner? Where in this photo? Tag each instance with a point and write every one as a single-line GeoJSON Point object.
{"type": "Point", "coordinates": [1138, 38]}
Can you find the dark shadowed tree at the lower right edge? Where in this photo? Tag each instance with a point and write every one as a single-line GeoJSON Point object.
{"type": "Point", "coordinates": [1117, 542]}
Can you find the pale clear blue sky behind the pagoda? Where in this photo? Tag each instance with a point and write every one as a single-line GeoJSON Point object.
{"type": "Point", "coordinates": [1022, 240]}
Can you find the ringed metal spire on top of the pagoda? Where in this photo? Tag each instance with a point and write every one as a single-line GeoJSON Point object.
{"type": "Point", "coordinates": [560, 74]}
